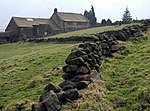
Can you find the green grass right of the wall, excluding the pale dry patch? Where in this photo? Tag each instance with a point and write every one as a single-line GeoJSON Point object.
{"type": "Point", "coordinates": [127, 77]}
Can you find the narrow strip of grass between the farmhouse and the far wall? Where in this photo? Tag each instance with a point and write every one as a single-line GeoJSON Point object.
{"type": "Point", "coordinates": [90, 31]}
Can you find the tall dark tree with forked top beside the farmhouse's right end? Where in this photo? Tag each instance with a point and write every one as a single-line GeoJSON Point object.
{"type": "Point", "coordinates": [91, 16]}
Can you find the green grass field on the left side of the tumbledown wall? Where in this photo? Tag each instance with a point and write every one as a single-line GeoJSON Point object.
{"type": "Point", "coordinates": [23, 67]}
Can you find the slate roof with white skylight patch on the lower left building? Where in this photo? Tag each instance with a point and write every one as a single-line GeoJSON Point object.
{"type": "Point", "coordinates": [30, 22]}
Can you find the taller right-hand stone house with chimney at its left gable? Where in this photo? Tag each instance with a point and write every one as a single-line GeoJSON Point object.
{"type": "Point", "coordinates": [70, 21]}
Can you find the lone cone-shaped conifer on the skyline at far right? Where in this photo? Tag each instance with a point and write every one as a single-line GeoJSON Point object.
{"type": "Point", "coordinates": [127, 18]}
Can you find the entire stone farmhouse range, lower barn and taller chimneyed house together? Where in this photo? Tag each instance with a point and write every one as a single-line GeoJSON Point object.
{"type": "Point", "coordinates": [23, 28]}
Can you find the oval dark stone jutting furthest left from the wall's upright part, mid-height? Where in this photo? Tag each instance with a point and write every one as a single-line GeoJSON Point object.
{"type": "Point", "coordinates": [70, 68]}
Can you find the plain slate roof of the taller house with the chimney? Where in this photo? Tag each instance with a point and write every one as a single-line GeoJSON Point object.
{"type": "Point", "coordinates": [72, 17]}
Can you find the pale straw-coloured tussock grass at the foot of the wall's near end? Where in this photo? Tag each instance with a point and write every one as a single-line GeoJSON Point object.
{"type": "Point", "coordinates": [93, 99]}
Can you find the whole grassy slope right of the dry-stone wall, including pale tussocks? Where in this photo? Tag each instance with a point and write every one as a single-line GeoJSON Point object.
{"type": "Point", "coordinates": [125, 85]}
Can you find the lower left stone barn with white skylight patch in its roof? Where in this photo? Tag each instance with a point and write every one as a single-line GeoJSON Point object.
{"type": "Point", "coordinates": [32, 27]}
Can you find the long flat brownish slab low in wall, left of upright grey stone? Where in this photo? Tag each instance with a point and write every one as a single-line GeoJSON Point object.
{"type": "Point", "coordinates": [78, 78]}
